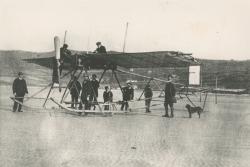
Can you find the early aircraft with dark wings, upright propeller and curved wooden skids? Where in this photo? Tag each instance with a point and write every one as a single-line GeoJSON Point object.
{"type": "Point", "coordinates": [109, 61]}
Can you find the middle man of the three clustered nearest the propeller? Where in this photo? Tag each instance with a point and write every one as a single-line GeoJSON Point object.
{"type": "Point", "coordinates": [86, 91]}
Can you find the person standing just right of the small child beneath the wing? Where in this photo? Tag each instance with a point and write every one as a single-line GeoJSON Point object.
{"type": "Point", "coordinates": [127, 95]}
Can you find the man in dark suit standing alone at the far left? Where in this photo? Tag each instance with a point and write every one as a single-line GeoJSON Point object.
{"type": "Point", "coordinates": [19, 88]}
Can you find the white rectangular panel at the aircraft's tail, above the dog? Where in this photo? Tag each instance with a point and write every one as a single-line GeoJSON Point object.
{"type": "Point", "coordinates": [194, 75]}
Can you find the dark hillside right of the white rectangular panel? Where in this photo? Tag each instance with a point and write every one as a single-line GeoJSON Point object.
{"type": "Point", "coordinates": [231, 74]}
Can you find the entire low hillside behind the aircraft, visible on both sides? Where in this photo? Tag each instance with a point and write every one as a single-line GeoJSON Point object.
{"type": "Point", "coordinates": [231, 74]}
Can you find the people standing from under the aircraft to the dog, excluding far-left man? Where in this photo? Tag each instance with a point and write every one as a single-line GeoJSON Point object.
{"type": "Point", "coordinates": [89, 94]}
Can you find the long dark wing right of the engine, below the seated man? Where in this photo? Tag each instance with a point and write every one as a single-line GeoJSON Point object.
{"type": "Point", "coordinates": [141, 59]}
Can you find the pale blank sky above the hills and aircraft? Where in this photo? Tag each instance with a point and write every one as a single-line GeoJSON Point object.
{"type": "Point", "coordinates": [212, 29]}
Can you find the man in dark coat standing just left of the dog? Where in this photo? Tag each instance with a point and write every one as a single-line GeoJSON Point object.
{"type": "Point", "coordinates": [169, 97]}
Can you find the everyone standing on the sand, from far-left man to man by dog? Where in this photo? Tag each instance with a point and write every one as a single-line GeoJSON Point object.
{"type": "Point", "coordinates": [88, 93]}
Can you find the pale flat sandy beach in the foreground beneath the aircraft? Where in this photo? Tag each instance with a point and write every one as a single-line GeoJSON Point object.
{"type": "Point", "coordinates": [49, 138]}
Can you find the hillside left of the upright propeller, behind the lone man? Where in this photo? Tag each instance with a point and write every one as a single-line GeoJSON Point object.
{"type": "Point", "coordinates": [11, 63]}
